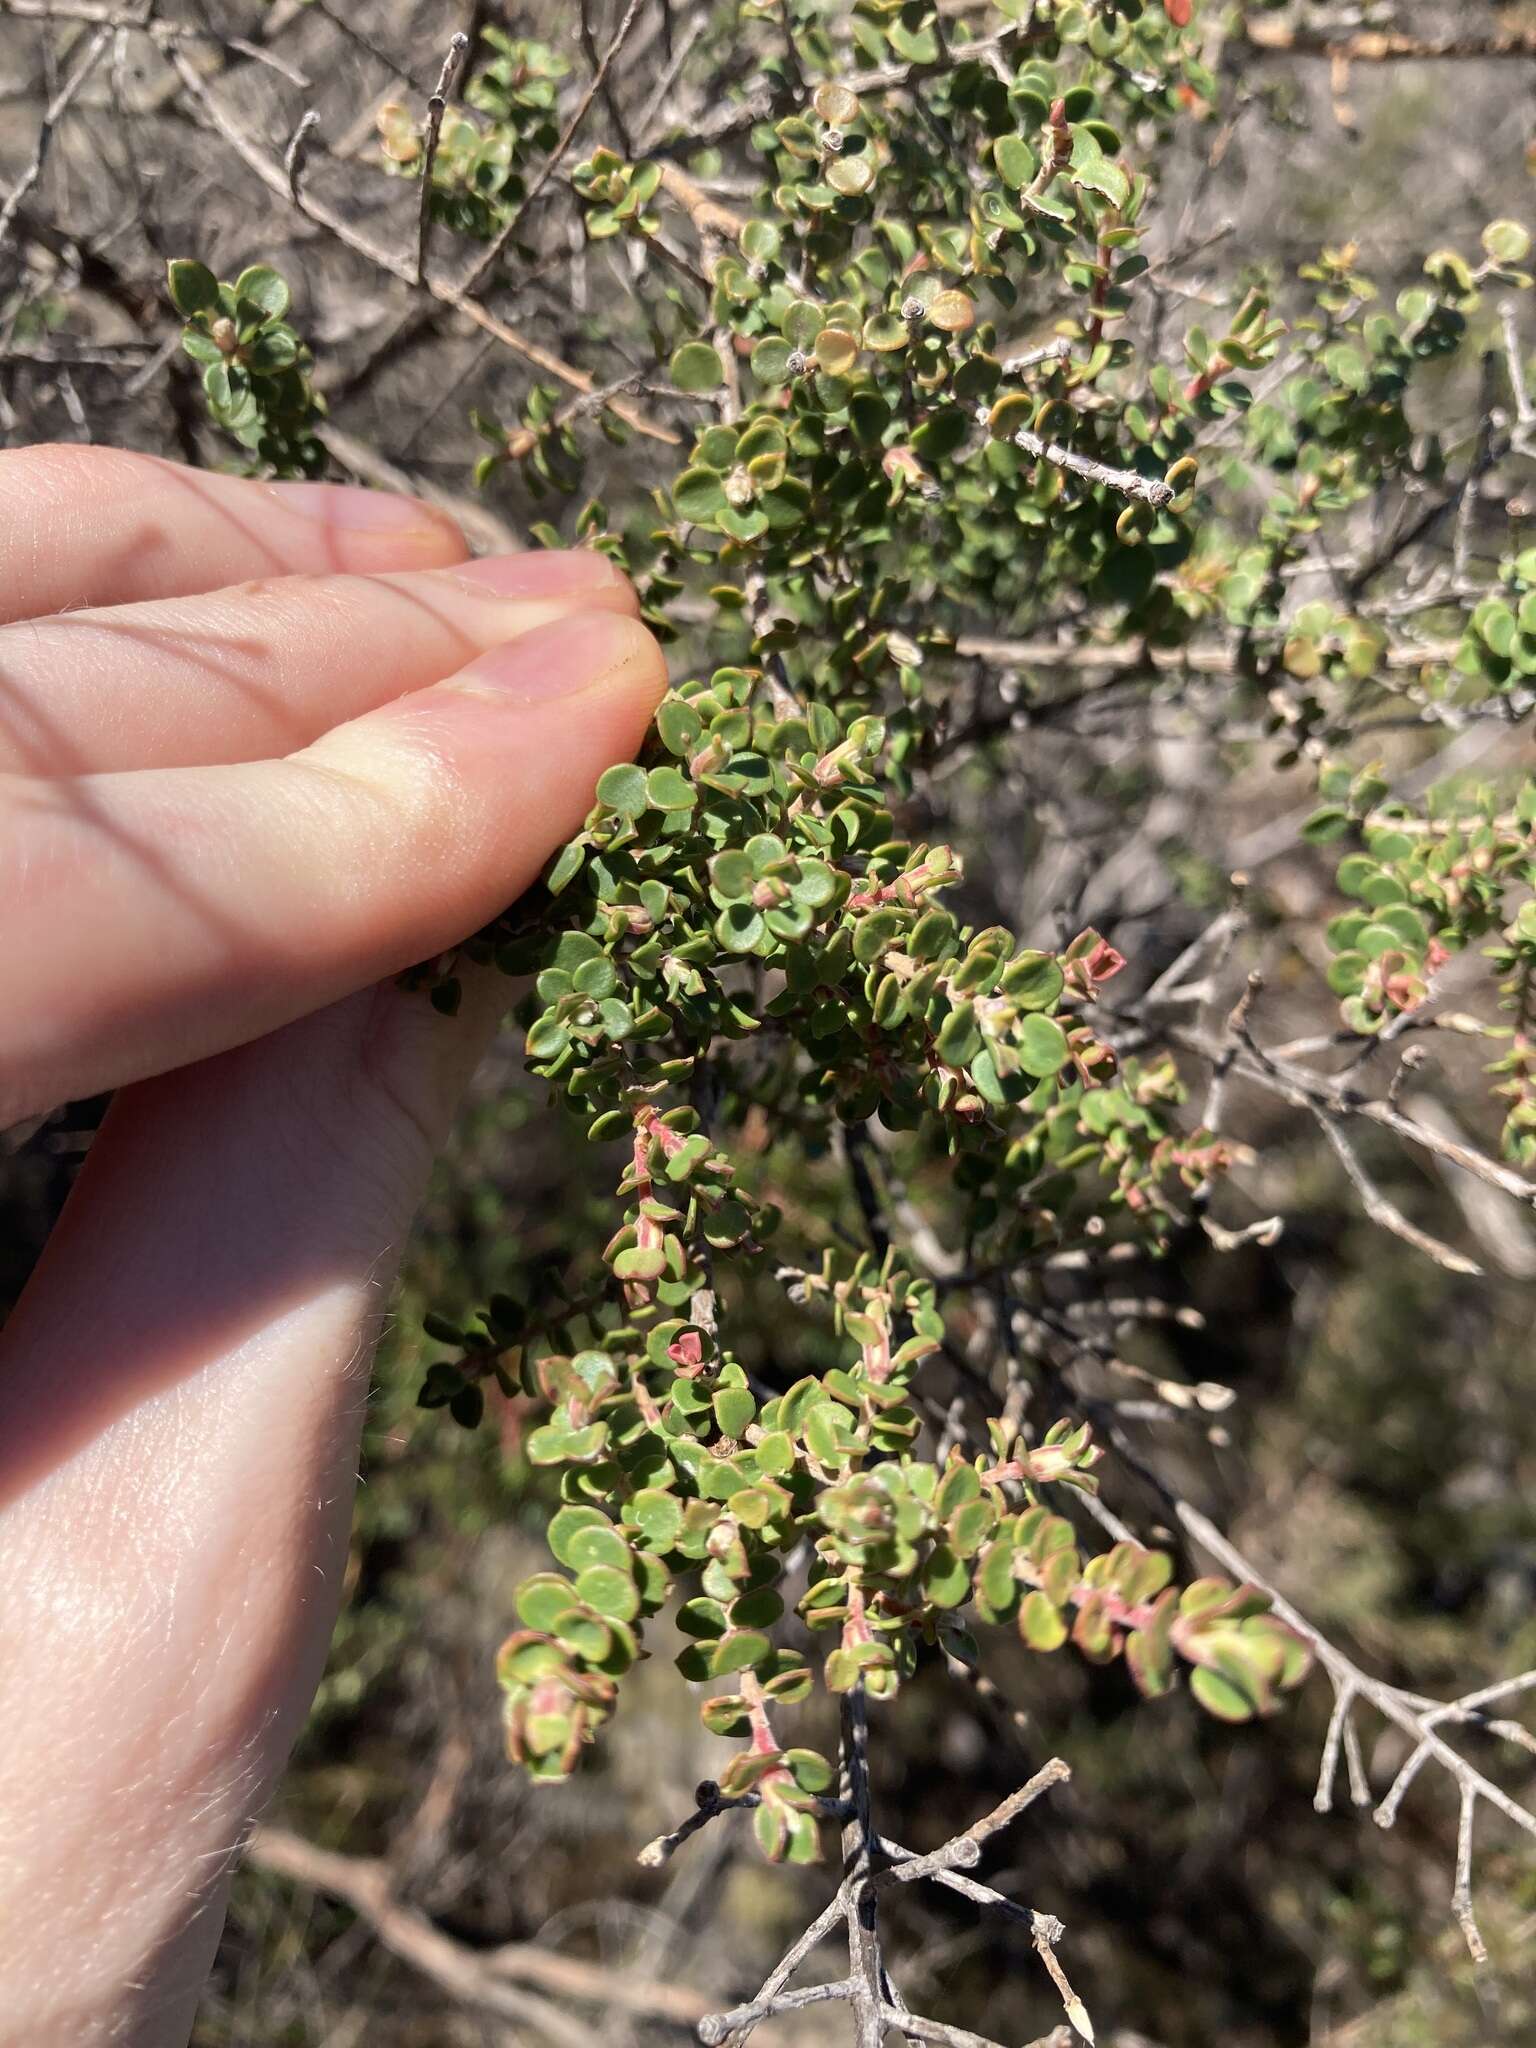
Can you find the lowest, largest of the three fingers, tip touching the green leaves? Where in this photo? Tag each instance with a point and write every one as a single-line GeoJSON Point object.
{"type": "Point", "coordinates": [167, 914]}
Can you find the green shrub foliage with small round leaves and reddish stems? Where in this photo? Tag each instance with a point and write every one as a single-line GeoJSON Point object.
{"type": "Point", "coordinates": [925, 443]}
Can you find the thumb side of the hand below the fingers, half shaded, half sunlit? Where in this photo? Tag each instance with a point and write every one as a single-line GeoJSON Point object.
{"type": "Point", "coordinates": [181, 1394]}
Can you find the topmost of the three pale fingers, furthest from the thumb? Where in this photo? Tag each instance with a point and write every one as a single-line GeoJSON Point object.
{"type": "Point", "coordinates": [108, 527]}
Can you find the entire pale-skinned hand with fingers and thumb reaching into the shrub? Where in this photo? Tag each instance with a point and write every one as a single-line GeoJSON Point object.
{"type": "Point", "coordinates": [261, 749]}
